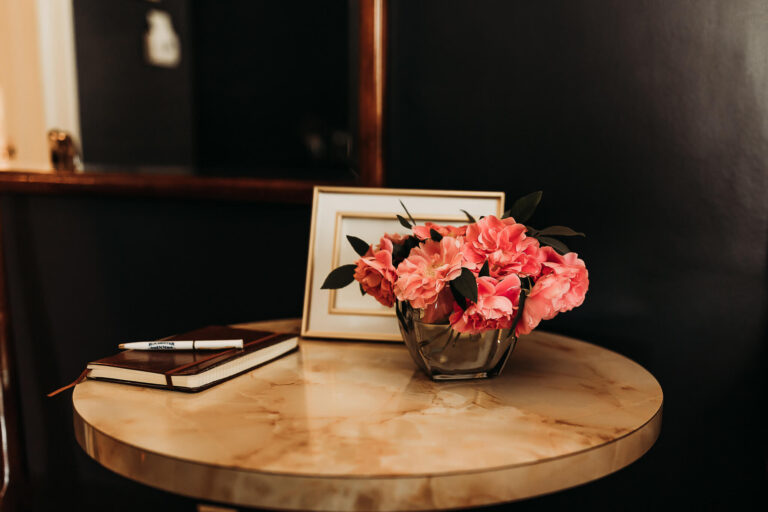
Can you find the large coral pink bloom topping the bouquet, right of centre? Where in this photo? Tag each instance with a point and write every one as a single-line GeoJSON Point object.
{"type": "Point", "coordinates": [504, 244]}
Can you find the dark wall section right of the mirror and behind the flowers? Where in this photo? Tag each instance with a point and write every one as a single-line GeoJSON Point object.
{"type": "Point", "coordinates": [646, 124]}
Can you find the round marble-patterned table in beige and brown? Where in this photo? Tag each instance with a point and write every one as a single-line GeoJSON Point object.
{"type": "Point", "coordinates": [353, 426]}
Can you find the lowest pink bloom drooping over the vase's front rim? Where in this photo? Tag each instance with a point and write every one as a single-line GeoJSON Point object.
{"type": "Point", "coordinates": [495, 307]}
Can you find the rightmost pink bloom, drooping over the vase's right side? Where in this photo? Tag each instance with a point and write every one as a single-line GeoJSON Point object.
{"type": "Point", "coordinates": [561, 287]}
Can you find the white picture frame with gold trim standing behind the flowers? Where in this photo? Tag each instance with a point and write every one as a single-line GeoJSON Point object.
{"type": "Point", "coordinates": [368, 213]}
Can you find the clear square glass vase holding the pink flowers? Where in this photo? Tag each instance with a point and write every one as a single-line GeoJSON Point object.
{"type": "Point", "coordinates": [445, 354]}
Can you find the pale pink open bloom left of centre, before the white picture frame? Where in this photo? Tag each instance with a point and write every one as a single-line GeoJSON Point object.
{"type": "Point", "coordinates": [426, 271]}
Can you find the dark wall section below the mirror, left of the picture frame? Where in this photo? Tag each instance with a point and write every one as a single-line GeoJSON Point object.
{"type": "Point", "coordinates": [87, 273]}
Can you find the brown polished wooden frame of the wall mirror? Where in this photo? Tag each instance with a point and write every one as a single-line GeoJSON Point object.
{"type": "Point", "coordinates": [371, 91]}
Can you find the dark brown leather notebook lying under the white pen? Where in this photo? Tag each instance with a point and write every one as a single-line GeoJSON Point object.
{"type": "Point", "coordinates": [193, 370]}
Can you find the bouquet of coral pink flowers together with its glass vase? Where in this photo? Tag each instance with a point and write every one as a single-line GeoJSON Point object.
{"type": "Point", "coordinates": [463, 294]}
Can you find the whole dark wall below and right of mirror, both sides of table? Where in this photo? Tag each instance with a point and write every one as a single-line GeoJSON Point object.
{"type": "Point", "coordinates": [645, 123]}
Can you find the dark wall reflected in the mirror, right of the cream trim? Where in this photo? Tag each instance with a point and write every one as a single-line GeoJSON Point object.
{"type": "Point", "coordinates": [217, 88]}
